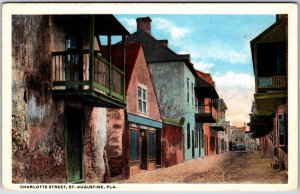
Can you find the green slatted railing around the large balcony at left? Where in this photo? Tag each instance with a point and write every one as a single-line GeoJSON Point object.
{"type": "Point", "coordinates": [71, 72]}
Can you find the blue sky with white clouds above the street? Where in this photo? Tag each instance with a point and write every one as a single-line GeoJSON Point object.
{"type": "Point", "coordinates": [217, 44]}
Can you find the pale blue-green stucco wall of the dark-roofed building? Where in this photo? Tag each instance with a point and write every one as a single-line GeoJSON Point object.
{"type": "Point", "coordinates": [170, 79]}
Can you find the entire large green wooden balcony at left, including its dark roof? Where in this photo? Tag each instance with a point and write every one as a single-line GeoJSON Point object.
{"type": "Point", "coordinates": [80, 72]}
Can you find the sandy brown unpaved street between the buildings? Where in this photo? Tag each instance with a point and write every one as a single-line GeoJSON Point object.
{"type": "Point", "coordinates": [230, 167]}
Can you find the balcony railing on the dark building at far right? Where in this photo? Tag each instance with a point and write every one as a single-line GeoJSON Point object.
{"type": "Point", "coordinates": [271, 82]}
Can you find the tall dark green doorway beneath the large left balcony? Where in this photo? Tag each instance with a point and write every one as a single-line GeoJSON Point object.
{"type": "Point", "coordinates": [74, 145]}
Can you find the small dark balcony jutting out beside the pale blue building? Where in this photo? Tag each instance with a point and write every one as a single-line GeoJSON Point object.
{"type": "Point", "coordinates": [206, 114]}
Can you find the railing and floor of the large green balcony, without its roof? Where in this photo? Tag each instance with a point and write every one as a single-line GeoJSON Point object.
{"type": "Point", "coordinates": [73, 77]}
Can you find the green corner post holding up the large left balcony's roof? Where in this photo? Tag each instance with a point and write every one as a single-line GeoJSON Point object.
{"type": "Point", "coordinates": [91, 51]}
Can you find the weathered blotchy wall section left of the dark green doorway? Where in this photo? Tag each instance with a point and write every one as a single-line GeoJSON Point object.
{"type": "Point", "coordinates": [37, 122]}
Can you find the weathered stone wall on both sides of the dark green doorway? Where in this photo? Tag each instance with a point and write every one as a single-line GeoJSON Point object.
{"type": "Point", "coordinates": [38, 122]}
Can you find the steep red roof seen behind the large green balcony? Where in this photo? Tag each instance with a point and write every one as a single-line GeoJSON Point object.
{"type": "Point", "coordinates": [132, 51]}
